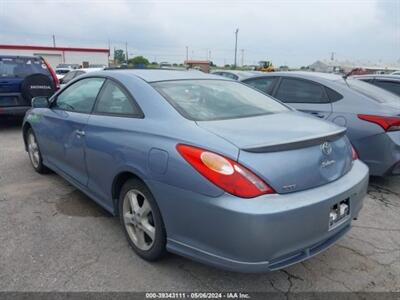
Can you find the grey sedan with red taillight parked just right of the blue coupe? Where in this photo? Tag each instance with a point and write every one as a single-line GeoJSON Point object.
{"type": "Point", "coordinates": [371, 114]}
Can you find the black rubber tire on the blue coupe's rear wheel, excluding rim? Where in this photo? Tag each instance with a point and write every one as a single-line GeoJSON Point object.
{"type": "Point", "coordinates": [157, 250]}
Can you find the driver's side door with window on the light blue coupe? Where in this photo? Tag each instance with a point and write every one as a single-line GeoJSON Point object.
{"type": "Point", "coordinates": [63, 125]}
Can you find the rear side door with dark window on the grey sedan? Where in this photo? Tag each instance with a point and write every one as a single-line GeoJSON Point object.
{"type": "Point", "coordinates": [305, 95]}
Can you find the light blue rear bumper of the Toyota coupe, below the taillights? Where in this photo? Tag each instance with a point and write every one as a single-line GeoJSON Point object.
{"type": "Point", "coordinates": [261, 234]}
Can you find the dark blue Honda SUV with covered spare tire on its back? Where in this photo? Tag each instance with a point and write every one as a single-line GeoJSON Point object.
{"type": "Point", "coordinates": [21, 79]}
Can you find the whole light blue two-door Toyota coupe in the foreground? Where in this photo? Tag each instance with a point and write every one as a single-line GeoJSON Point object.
{"type": "Point", "coordinates": [201, 166]}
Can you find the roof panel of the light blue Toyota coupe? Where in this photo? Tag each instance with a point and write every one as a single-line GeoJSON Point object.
{"type": "Point", "coordinates": [163, 74]}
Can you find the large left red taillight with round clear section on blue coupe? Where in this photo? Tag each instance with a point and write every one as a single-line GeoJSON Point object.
{"type": "Point", "coordinates": [224, 172]}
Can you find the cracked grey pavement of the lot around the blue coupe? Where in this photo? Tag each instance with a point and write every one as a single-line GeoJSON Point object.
{"type": "Point", "coordinates": [55, 238]}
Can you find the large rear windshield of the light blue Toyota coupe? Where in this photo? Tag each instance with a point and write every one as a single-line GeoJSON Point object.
{"type": "Point", "coordinates": [205, 100]}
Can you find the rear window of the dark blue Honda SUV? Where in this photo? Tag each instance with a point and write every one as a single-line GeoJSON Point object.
{"type": "Point", "coordinates": [20, 67]}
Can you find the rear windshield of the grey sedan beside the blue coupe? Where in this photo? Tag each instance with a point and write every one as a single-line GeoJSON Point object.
{"type": "Point", "coordinates": [372, 91]}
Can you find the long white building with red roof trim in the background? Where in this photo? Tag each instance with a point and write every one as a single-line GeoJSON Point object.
{"type": "Point", "coordinates": [61, 55]}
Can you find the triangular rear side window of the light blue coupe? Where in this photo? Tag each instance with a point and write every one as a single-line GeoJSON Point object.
{"type": "Point", "coordinates": [114, 100]}
